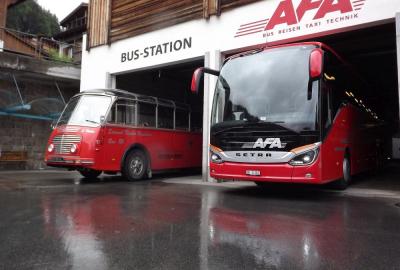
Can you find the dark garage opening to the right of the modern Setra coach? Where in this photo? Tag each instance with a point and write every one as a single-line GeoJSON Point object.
{"type": "Point", "coordinates": [373, 53]}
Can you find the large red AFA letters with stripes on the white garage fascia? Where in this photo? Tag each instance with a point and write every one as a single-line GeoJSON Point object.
{"type": "Point", "coordinates": [289, 14]}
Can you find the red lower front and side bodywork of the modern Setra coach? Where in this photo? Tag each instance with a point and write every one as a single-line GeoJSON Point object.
{"type": "Point", "coordinates": [348, 133]}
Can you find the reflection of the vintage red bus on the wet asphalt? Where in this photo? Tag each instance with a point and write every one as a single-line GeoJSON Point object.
{"type": "Point", "coordinates": [97, 231]}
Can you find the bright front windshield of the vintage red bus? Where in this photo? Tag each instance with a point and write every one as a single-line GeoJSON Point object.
{"type": "Point", "coordinates": [86, 110]}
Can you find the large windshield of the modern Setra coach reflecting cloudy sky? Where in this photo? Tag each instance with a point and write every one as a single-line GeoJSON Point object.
{"type": "Point", "coordinates": [267, 87]}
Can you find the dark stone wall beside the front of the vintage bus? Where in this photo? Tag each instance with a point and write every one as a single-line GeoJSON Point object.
{"type": "Point", "coordinates": [20, 129]}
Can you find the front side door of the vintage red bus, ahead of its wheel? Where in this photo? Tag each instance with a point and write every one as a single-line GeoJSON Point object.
{"type": "Point", "coordinates": [119, 132]}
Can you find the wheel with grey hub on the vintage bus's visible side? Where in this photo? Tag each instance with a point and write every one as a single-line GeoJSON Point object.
{"type": "Point", "coordinates": [135, 167]}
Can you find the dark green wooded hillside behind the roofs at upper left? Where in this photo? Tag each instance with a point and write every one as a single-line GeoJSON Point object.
{"type": "Point", "coordinates": [31, 18]}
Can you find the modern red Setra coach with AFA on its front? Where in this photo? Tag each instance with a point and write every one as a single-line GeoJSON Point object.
{"type": "Point", "coordinates": [293, 113]}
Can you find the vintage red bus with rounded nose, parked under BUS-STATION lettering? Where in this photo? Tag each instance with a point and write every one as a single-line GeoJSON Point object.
{"type": "Point", "coordinates": [115, 131]}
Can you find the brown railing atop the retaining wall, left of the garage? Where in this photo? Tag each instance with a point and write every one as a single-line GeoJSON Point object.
{"type": "Point", "coordinates": [38, 46]}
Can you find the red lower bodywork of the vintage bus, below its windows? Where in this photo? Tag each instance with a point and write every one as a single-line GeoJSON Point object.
{"type": "Point", "coordinates": [105, 147]}
